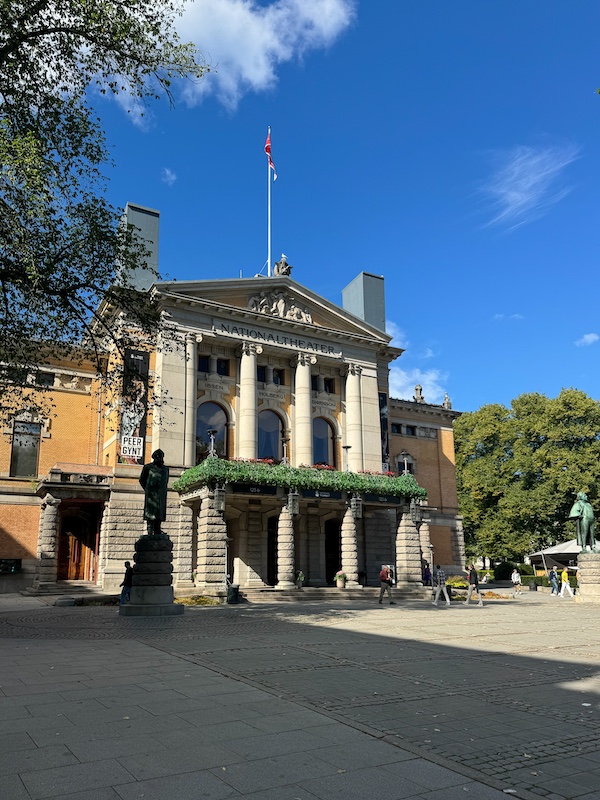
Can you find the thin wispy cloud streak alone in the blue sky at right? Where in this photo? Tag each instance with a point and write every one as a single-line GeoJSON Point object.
{"type": "Point", "coordinates": [523, 185]}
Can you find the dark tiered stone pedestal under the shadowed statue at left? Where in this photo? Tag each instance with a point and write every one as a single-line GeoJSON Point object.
{"type": "Point", "coordinates": [152, 590]}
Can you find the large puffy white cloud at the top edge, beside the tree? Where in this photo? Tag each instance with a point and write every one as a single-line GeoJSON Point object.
{"type": "Point", "coordinates": [246, 41]}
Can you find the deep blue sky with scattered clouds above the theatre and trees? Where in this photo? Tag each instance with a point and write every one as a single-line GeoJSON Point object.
{"type": "Point", "coordinates": [451, 147]}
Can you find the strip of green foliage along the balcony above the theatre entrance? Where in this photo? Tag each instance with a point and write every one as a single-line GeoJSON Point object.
{"type": "Point", "coordinates": [214, 471]}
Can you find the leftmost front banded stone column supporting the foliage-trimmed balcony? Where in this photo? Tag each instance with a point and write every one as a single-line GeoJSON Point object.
{"type": "Point", "coordinates": [212, 545]}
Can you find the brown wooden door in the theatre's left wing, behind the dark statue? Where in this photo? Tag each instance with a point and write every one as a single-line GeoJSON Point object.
{"type": "Point", "coordinates": [78, 546]}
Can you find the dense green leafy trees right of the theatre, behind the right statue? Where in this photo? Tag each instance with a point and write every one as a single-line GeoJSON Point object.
{"type": "Point", "coordinates": [519, 469]}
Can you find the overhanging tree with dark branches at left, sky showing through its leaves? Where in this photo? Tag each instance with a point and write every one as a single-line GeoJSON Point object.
{"type": "Point", "coordinates": [63, 247]}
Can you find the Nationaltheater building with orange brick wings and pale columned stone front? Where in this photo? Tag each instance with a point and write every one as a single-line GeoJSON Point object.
{"type": "Point", "coordinates": [253, 369]}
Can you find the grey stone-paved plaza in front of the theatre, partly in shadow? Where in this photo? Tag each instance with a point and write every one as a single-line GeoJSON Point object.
{"type": "Point", "coordinates": [301, 701]}
